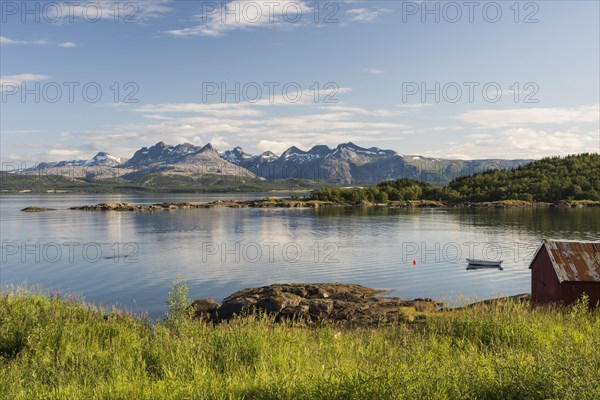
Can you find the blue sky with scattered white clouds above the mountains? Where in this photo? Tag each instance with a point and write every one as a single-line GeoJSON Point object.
{"type": "Point", "coordinates": [467, 80]}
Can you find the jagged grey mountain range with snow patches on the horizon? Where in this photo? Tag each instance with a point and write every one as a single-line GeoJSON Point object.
{"type": "Point", "coordinates": [347, 163]}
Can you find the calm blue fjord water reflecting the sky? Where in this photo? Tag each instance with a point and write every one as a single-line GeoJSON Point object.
{"type": "Point", "coordinates": [130, 258]}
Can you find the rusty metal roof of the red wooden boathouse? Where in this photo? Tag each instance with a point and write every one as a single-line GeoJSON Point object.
{"type": "Point", "coordinates": [574, 261]}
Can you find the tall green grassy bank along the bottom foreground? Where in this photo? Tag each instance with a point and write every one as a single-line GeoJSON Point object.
{"type": "Point", "coordinates": [53, 348]}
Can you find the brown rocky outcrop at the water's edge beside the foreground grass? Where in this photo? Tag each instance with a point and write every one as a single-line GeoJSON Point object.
{"type": "Point", "coordinates": [349, 304]}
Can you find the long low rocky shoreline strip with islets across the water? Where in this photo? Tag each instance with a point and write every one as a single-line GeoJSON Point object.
{"type": "Point", "coordinates": [293, 203]}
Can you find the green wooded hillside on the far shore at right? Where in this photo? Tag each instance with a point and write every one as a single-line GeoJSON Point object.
{"type": "Point", "coordinates": [552, 179]}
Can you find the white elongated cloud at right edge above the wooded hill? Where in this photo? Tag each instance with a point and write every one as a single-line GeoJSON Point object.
{"type": "Point", "coordinates": [527, 116]}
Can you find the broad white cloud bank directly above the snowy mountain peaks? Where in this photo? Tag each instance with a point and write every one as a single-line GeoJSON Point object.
{"type": "Point", "coordinates": [254, 127]}
